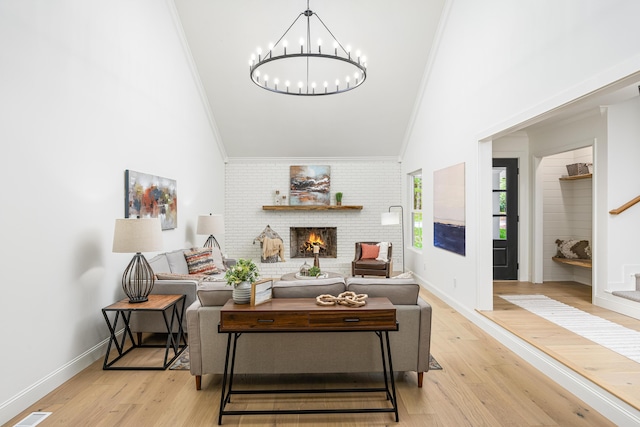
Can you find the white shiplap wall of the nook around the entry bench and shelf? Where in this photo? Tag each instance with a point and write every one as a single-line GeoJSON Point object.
{"type": "Point", "coordinates": [568, 208]}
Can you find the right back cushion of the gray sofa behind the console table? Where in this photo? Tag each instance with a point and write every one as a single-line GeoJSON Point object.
{"type": "Point", "coordinates": [399, 291]}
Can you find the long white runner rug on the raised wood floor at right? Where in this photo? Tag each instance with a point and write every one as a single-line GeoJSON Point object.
{"type": "Point", "coordinates": [623, 341]}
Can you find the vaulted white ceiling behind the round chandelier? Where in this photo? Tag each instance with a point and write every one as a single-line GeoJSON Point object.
{"type": "Point", "coordinates": [368, 122]}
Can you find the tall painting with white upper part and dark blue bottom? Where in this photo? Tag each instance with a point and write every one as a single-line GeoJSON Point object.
{"type": "Point", "coordinates": [448, 209]}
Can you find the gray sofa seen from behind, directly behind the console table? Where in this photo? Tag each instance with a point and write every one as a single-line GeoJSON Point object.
{"type": "Point", "coordinates": [312, 352]}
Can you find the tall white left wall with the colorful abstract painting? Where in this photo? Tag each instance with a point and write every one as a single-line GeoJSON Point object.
{"type": "Point", "coordinates": [89, 89]}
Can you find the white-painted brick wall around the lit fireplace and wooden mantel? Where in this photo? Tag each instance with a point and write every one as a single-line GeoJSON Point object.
{"type": "Point", "coordinates": [375, 185]}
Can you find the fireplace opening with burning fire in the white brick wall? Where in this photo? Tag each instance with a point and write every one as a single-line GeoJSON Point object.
{"type": "Point", "coordinates": [303, 239]}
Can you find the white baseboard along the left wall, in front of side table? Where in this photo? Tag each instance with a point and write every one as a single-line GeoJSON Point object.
{"type": "Point", "coordinates": [27, 397]}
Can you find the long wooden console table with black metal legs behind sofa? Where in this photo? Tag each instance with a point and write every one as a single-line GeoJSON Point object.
{"type": "Point", "coordinates": [304, 315]}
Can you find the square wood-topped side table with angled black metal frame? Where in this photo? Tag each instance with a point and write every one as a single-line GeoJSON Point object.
{"type": "Point", "coordinates": [159, 303]}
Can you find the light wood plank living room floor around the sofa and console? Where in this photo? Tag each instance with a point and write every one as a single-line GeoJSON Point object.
{"type": "Point", "coordinates": [482, 384]}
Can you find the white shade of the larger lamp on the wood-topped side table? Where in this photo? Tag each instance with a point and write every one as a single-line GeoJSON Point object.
{"type": "Point", "coordinates": [133, 235]}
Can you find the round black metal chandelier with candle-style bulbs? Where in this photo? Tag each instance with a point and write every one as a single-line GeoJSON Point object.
{"type": "Point", "coordinates": [306, 89]}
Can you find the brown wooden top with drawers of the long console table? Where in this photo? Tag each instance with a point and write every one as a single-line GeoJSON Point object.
{"type": "Point", "coordinates": [304, 315]}
